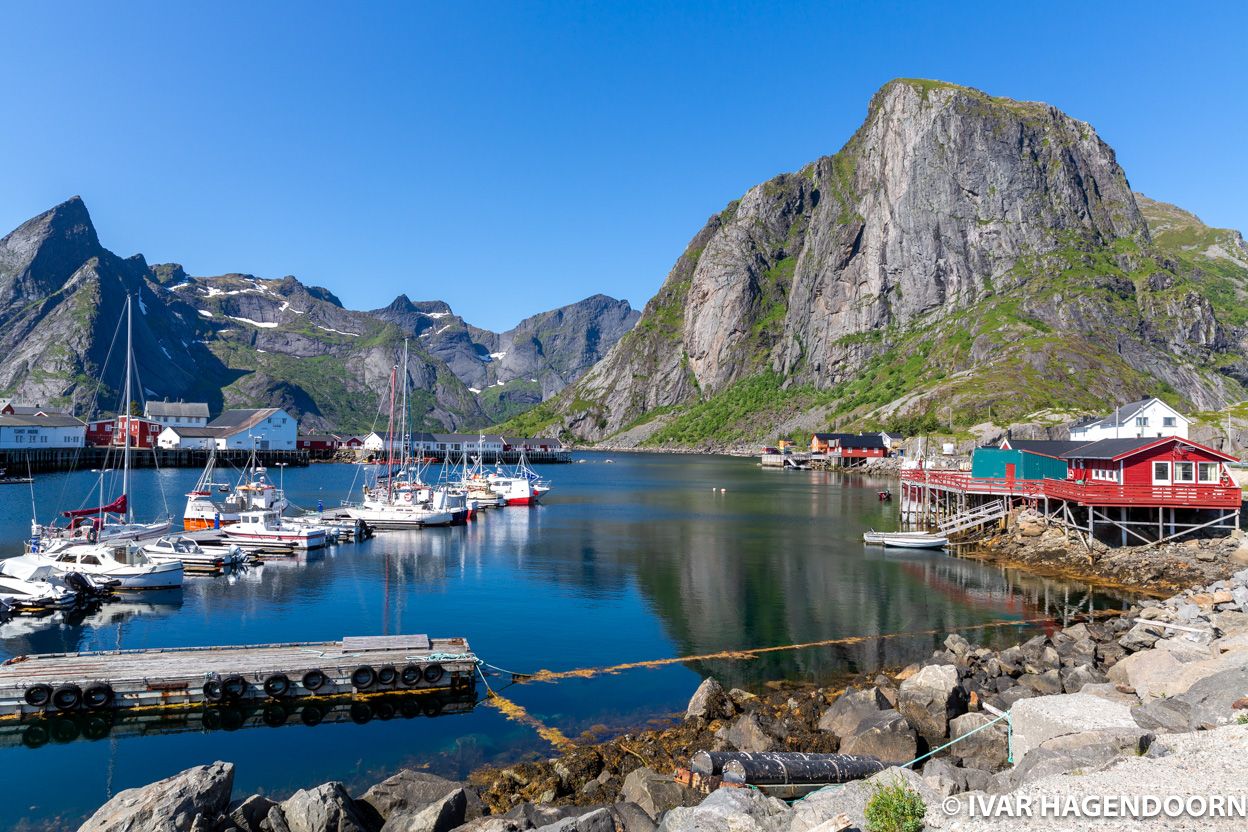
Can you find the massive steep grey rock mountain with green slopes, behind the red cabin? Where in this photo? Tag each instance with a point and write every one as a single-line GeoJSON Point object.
{"type": "Point", "coordinates": [964, 259]}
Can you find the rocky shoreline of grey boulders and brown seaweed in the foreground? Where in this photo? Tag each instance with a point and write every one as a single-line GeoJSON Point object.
{"type": "Point", "coordinates": [1086, 699]}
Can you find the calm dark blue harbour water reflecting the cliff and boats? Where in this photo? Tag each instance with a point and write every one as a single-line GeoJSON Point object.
{"type": "Point", "coordinates": [641, 559]}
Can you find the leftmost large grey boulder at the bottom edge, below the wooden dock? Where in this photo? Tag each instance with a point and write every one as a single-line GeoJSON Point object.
{"type": "Point", "coordinates": [169, 805]}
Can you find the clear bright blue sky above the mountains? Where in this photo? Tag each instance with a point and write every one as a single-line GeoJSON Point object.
{"type": "Point", "coordinates": [511, 158]}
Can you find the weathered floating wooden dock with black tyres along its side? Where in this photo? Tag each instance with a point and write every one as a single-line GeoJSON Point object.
{"type": "Point", "coordinates": [71, 683]}
